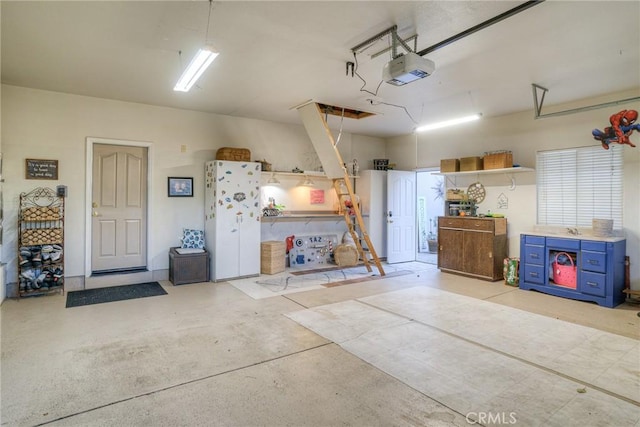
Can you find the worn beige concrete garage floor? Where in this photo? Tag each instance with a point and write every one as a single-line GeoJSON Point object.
{"type": "Point", "coordinates": [426, 348]}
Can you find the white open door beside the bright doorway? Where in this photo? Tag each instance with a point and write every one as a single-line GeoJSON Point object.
{"type": "Point", "coordinates": [401, 216]}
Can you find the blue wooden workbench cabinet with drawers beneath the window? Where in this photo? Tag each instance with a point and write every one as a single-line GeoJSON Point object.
{"type": "Point", "coordinates": [599, 264]}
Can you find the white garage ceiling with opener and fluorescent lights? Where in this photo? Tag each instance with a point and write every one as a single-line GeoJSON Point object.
{"type": "Point", "coordinates": [276, 55]}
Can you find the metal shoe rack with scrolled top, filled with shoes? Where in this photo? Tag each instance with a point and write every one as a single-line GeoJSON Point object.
{"type": "Point", "coordinates": [40, 243]}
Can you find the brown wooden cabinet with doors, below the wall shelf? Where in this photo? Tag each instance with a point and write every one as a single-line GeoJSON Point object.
{"type": "Point", "coordinates": [472, 246]}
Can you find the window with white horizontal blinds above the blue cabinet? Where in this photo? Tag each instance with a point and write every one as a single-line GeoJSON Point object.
{"type": "Point", "coordinates": [578, 184]}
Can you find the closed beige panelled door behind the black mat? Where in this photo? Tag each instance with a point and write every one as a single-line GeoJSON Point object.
{"type": "Point", "coordinates": [119, 211]}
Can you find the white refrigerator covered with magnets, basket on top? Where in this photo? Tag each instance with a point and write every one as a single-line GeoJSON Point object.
{"type": "Point", "coordinates": [232, 218]}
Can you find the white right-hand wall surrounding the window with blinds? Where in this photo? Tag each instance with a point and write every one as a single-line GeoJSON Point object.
{"type": "Point", "coordinates": [524, 136]}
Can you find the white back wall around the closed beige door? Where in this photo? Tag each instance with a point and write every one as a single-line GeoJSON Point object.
{"type": "Point", "coordinates": [51, 125]}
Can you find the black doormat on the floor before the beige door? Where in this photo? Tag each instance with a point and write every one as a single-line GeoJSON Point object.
{"type": "Point", "coordinates": [115, 293]}
